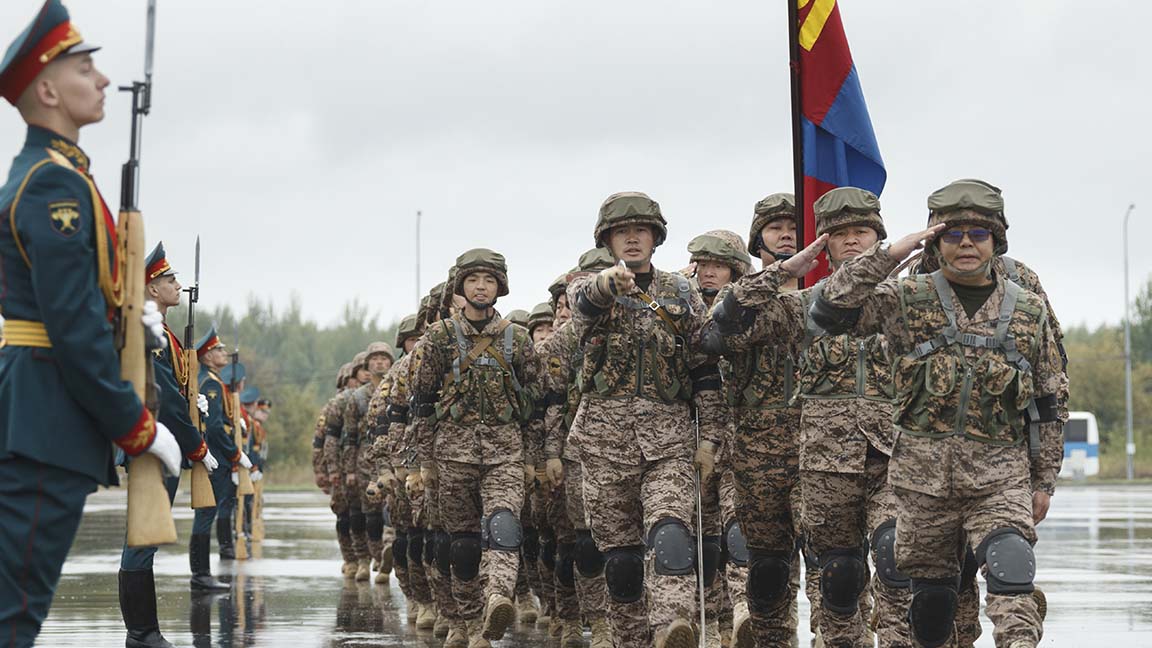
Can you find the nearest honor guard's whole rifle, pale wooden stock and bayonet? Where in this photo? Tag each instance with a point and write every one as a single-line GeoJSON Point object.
{"type": "Point", "coordinates": [149, 509]}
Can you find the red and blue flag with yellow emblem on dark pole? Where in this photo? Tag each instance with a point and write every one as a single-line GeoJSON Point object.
{"type": "Point", "coordinates": [837, 141]}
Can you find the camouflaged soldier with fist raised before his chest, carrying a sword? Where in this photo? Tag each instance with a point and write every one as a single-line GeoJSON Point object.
{"type": "Point", "coordinates": [634, 427]}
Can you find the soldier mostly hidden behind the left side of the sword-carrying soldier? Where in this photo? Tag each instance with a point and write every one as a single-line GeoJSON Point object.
{"type": "Point", "coordinates": [562, 358]}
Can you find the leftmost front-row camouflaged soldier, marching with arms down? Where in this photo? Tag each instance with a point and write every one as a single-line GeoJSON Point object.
{"type": "Point", "coordinates": [475, 368]}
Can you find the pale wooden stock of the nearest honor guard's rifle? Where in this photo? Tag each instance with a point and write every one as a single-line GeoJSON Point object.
{"type": "Point", "coordinates": [149, 510]}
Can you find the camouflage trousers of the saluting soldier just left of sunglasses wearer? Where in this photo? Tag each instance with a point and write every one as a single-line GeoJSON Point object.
{"type": "Point", "coordinates": [840, 513]}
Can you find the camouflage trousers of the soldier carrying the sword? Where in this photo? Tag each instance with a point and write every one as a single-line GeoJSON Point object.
{"type": "Point", "coordinates": [624, 503]}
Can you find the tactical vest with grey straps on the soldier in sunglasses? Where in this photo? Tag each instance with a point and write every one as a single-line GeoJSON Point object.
{"type": "Point", "coordinates": [941, 391]}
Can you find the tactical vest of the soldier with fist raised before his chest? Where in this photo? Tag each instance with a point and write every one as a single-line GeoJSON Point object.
{"type": "Point", "coordinates": [620, 363]}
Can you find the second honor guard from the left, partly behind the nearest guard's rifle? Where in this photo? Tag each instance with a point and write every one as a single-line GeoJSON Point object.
{"type": "Point", "coordinates": [138, 583]}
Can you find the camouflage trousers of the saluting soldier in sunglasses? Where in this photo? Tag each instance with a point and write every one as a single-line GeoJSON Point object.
{"type": "Point", "coordinates": [930, 545]}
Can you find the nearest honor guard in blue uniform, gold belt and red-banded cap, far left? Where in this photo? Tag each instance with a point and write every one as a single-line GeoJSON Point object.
{"type": "Point", "coordinates": [62, 397]}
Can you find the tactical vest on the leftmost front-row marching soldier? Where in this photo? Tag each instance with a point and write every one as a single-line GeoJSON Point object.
{"type": "Point", "coordinates": [481, 388]}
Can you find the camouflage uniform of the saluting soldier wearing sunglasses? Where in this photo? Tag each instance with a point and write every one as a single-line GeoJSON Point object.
{"type": "Point", "coordinates": [971, 478]}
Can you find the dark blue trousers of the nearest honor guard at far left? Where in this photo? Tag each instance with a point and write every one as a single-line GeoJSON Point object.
{"type": "Point", "coordinates": [41, 508]}
